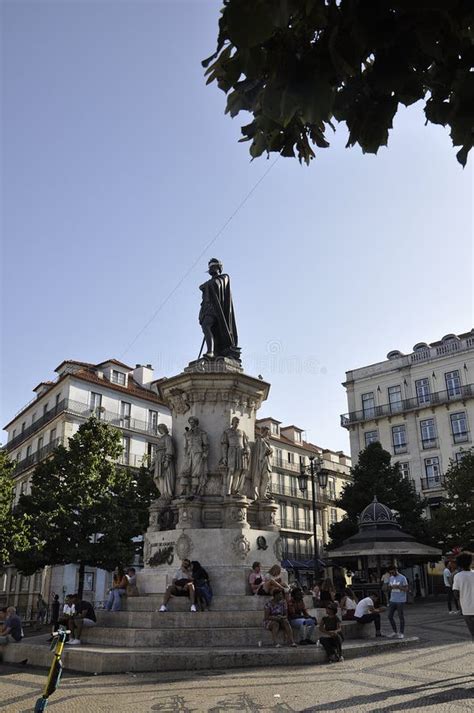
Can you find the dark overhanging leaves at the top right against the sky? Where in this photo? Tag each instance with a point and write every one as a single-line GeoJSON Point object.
{"type": "Point", "coordinates": [297, 65]}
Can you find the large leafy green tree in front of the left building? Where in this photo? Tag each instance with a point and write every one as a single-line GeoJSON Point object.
{"type": "Point", "coordinates": [84, 508]}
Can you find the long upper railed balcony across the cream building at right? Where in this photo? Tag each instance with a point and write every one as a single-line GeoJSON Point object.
{"type": "Point", "coordinates": [414, 404]}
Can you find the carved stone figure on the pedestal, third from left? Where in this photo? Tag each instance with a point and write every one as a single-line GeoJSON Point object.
{"type": "Point", "coordinates": [235, 459]}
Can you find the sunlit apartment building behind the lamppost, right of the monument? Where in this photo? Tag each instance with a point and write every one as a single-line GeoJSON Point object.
{"type": "Point", "coordinates": [290, 451]}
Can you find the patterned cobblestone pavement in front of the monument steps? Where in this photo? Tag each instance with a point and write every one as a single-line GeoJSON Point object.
{"type": "Point", "coordinates": [436, 675]}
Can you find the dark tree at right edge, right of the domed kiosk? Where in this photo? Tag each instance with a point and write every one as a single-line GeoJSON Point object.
{"type": "Point", "coordinates": [454, 521]}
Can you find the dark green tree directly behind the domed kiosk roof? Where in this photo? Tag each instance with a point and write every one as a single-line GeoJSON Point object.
{"type": "Point", "coordinates": [374, 474]}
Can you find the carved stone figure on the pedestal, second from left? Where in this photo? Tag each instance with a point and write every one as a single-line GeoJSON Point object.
{"type": "Point", "coordinates": [193, 476]}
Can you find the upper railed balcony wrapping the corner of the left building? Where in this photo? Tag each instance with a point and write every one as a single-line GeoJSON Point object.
{"type": "Point", "coordinates": [82, 410]}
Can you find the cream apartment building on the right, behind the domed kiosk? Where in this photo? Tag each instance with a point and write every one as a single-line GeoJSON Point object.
{"type": "Point", "coordinates": [419, 406]}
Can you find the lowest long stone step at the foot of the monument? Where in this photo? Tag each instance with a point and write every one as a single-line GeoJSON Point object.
{"type": "Point", "coordinates": [107, 659]}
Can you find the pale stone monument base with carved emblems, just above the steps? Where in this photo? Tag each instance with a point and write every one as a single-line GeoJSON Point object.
{"type": "Point", "coordinates": [226, 554]}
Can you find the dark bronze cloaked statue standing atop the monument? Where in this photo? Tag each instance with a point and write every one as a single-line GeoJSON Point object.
{"type": "Point", "coordinates": [216, 315]}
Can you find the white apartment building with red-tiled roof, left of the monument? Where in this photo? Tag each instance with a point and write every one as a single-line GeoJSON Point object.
{"type": "Point", "coordinates": [120, 395]}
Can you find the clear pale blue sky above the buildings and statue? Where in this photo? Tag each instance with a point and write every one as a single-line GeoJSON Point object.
{"type": "Point", "coordinates": [122, 176]}
